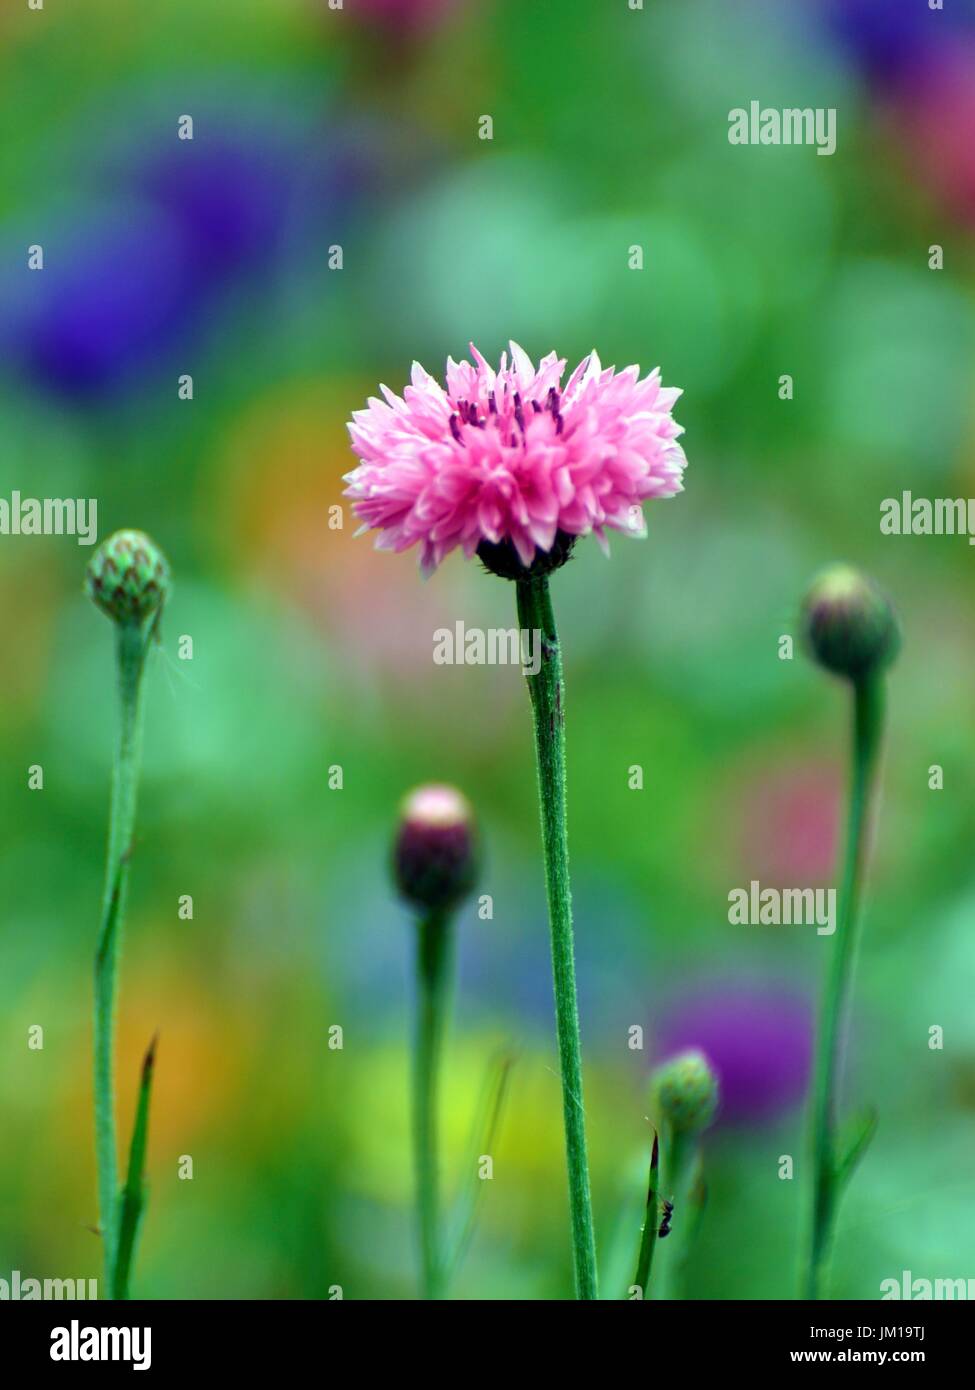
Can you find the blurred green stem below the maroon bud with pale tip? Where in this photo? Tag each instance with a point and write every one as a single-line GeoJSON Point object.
{"type": "Point", "coordinates": [433, 970]}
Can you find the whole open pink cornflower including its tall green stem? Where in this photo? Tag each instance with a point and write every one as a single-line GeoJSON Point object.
{"type": "Point", "coordinates": [513, 466]}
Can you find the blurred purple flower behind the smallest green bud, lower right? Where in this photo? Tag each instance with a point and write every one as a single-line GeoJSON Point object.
{"type": "Point", "coordinates": [759, 1038]}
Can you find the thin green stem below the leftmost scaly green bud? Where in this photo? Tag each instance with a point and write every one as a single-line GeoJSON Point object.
{"type": "Point", "coordinates": [133, 644]}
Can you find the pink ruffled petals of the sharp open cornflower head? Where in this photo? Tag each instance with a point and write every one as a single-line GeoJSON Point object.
{"type": "Point", "coordinates": [513, 455]}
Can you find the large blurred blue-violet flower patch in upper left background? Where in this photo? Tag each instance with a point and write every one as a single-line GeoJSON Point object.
{"type": "Point", "coordinates": [151, 266]}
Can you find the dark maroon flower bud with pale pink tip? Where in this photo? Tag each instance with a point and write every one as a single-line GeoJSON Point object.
{"type": "Point", "coordinates": [436, 850]}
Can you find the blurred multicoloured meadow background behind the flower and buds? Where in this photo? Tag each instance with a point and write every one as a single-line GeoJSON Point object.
{"type": "Point", "coordinates": [358, 129]}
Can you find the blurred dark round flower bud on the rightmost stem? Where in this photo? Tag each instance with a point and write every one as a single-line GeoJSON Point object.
{"type": "Point", "coordinates": [849, 625]}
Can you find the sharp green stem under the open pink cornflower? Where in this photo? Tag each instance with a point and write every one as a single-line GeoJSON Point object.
{"type": "Point", "coordinates": [547, 692]}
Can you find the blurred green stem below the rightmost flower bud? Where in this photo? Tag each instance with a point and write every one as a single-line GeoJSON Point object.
{"type": "Point", "coordinates": [867, 739]}
